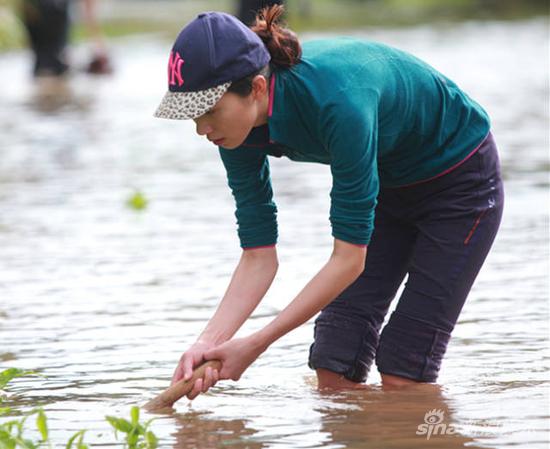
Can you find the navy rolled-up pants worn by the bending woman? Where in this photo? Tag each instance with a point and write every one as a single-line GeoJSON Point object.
{"type": "Point", "coordinates": [438, 233]}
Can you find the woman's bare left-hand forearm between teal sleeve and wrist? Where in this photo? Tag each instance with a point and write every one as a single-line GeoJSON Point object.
{"type": "Point", "coordinates": [251, 280]}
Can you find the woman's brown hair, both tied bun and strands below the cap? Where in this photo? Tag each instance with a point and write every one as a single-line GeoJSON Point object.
{"type": "Point", "coordinates": [283, 46]}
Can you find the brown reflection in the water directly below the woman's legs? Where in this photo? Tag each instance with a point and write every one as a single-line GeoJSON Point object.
{"type": "Point", "coordinates": [413, 417]}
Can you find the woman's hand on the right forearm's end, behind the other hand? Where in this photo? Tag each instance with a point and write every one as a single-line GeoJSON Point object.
{"type": "Point", "coordinates": [236, 355]}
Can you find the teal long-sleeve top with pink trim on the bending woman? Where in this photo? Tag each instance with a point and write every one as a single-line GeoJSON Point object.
{"type": "Point", "coordinates": [380, 117]}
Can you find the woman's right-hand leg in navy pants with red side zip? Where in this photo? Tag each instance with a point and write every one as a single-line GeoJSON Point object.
{"type": "Point", "coordinates": [457, 217]}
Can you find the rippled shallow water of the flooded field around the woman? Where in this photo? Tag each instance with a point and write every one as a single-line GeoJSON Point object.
{"type": "Point", "coordinates": [103, 299]}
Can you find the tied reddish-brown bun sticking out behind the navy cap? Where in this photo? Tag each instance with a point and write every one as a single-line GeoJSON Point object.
{"type": "Point", "coordinates": [282, 43]}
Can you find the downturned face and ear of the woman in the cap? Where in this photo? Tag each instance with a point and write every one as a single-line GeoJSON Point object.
{"type": "Point", "coordinates": [229, 122]}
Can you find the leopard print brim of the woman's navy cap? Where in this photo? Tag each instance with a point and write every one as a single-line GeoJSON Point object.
{"type": "Point", "coordinates": [190, 105]}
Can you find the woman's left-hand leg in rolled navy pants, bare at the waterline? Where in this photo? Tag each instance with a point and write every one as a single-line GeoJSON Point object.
{"type": "Point", "coordinates": [346, 331]}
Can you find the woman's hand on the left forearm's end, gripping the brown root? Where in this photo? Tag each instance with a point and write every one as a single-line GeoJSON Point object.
{"type": "Point", "coordinates": [189, 360]}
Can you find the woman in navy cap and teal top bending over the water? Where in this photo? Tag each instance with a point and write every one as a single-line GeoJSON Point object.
{"type": "Point", "coordinates": [416, 186]}
